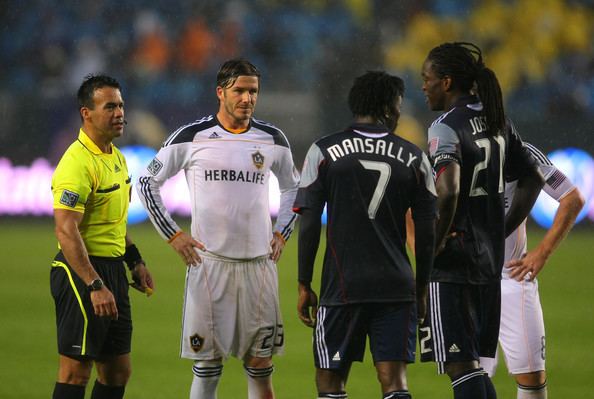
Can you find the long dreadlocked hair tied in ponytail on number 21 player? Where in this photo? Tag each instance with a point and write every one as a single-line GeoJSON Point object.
{"type": "Point", "coordinates": [463, 63]}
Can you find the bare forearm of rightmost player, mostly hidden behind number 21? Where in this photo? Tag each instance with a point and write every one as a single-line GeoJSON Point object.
{"type": "Point", "coordinates": [569, 208]}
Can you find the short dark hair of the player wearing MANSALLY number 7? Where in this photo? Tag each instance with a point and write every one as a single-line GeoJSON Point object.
{"type": "Point", "coordinates": [374, 94]}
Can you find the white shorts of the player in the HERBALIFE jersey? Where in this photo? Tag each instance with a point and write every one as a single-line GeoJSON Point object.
{"type": "Point", "coordinates": [231, 308]}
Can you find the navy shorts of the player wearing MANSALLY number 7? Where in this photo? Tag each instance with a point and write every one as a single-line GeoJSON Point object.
{"type": "Point", "coordinates": [341, 333]}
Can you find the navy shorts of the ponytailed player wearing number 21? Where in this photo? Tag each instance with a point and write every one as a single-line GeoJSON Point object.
{"type": "Point", "coordinates": [462, 322]}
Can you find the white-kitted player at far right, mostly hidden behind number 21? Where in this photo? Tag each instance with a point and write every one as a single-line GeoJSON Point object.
{"type": "Point", "coordinates": [522, 332]}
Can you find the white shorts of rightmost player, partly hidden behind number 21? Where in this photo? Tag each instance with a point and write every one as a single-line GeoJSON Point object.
{"type": "Point", "coordinates": [522, 332]}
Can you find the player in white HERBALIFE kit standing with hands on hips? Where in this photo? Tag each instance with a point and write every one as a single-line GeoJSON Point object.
{"type": "Point", "coordinates": [231, 305]}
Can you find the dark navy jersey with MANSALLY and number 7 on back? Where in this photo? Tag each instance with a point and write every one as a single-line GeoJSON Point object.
{"type": "Point", "coordinates": [368, 178]}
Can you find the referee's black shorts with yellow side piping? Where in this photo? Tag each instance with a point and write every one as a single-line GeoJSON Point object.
{"type": "Point", "coordinates": [80, 332]}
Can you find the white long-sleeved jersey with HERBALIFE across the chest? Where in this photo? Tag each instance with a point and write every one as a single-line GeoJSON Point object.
{"type": "Point", "coordinates": [227, 176]}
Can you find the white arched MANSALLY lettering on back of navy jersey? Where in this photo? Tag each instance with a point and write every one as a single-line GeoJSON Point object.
{"type": "Point", "coordinates": [369, 146]}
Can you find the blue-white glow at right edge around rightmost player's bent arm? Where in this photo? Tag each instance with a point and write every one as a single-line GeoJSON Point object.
{"type": "Point", "coordinates": [578, 166]}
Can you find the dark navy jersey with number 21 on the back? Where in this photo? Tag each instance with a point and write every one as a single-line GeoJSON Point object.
{"type": "Point", "coordinates": [475, 254]}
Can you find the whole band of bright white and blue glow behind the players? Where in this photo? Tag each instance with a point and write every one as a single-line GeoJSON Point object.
{"type": "Point", "coordinates": [26, 190]}
